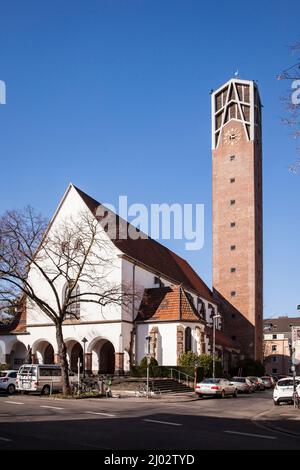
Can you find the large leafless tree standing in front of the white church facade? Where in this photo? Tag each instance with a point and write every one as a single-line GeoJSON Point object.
{"type": "Point", "coordinates": [39, 264]}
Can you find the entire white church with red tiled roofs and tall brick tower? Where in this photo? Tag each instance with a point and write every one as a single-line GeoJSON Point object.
{"type": "Point", "coordinates": [171, 305]}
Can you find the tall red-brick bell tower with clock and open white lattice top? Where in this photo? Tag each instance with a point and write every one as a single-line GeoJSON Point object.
{"type": "Point", "coordinates": [237, 212]}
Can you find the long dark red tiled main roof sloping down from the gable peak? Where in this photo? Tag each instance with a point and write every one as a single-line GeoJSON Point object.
{"type": "Point", "coordinates": [156, 256]}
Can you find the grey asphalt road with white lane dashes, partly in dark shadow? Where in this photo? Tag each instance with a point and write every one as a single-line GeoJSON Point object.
{"type": "Point", "coordinates": [33, 422]}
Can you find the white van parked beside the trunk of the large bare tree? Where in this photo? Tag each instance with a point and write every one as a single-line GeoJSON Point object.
{"type": "Point", "coordinates": [42, 378]}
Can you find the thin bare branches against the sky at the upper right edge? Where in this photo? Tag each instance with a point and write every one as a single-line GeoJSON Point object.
{"type": "Point", "coordinates": [292, 101]}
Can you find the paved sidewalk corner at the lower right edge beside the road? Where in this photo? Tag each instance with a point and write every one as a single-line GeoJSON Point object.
{"type": "Point", "coordinates": [284, 418]}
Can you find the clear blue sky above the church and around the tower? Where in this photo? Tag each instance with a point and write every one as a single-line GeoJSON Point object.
{"type": "Point", "coordinates": [113, 95]}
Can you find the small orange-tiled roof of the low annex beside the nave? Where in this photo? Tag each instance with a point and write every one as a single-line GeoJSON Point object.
{"type": "Point", "coordinates": [167, 304]}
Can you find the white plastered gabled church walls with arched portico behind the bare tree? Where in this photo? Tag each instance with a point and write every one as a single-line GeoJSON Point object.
{"type": "Point", "coordinates": [112, 334]}
